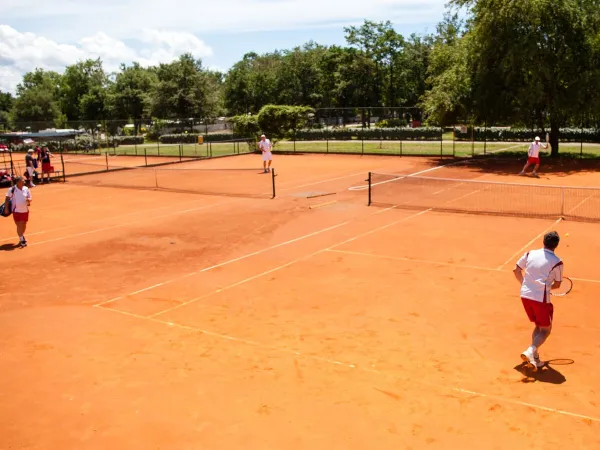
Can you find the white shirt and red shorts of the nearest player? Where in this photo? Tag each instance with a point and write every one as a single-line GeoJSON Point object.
{"type": "Point", "coordinates": [542, 268]}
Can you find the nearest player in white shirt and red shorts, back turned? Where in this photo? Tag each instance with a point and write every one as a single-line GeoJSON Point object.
{"type": "Point", "coordinates": [543, 272]}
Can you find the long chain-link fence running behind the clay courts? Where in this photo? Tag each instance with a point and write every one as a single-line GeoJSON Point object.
{"type": "Point", "coordinates": [384, 131]}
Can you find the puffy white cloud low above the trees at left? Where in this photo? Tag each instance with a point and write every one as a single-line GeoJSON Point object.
{"type": "Point", "coordinates": [24, 52]}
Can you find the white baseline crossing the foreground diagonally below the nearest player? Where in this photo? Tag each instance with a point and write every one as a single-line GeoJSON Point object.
{"type": "Point", "coordinates": [289, 351]}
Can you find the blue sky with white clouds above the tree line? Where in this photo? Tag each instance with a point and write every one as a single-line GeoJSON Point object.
{"type": "Point", "coordinates": [54, 34]}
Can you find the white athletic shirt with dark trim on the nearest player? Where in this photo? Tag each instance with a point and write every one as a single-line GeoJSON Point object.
{"type": "Point", "coordinates": [542, 268]}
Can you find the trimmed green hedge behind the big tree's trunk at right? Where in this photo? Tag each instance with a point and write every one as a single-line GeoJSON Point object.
{"type": "Point", "coordinates": [590, 135]}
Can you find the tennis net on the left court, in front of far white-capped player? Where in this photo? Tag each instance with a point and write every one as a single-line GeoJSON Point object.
{"type": "Point", "coordinates": [234, 182]}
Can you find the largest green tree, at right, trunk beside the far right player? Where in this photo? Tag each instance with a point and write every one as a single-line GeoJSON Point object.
{"type": "Point", "coordinates": [533, 60]}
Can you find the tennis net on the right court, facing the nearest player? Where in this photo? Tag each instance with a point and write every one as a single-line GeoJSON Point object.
{"type": "Point", "coordinates": [484, 197]}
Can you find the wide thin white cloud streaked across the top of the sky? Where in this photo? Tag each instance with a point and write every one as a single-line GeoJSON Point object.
{"type": "Point", "coordinates": [124, 19]}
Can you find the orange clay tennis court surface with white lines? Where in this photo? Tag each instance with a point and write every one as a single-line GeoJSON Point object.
{"type": "Point", "coordinates": [140, 318]}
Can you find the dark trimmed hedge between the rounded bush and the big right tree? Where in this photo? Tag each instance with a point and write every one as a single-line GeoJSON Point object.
{"type": "Point", "coordinates": [407, 134]}
